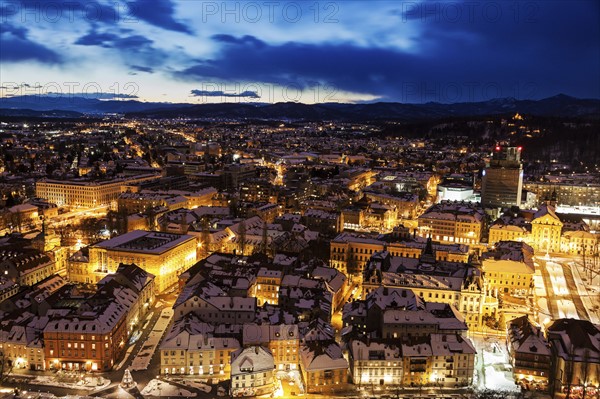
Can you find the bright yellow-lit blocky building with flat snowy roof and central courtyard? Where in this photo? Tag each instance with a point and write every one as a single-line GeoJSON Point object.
{"type": "Point", "coordinates": [164, 255]}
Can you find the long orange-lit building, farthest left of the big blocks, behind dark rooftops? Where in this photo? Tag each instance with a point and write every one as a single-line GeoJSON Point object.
{"type": "Point", "coordinates": [85, 193]}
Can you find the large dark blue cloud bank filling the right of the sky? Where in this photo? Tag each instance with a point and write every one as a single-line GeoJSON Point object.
{"type": "Point", "coordinates": [452, 60]}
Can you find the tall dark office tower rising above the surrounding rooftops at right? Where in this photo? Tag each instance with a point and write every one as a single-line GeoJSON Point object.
{"type": "Point", "coordinates": [503, 179]}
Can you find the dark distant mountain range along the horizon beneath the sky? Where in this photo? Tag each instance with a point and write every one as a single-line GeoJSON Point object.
{"type": "Point", "coordinates": [560, 105]}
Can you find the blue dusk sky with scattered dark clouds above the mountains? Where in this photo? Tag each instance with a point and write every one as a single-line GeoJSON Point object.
{"type": "Point", "coordinates": [308, 51]}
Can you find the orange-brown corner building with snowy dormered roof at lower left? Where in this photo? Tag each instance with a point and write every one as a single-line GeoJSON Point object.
{"type": "Point", "coordinates": [89, 333]}
